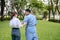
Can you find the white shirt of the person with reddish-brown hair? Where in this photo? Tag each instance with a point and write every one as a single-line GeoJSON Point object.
{"type": "Point", "coordinates": [15, 23]}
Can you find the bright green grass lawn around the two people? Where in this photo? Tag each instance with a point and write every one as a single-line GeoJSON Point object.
{"type": "Point", "coordinates": [45, 31]}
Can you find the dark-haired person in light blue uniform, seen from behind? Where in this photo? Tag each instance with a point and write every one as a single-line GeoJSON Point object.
{"type": "Point", "coordinates": [30, 22]}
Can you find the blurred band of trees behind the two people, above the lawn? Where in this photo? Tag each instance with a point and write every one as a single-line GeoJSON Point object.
{"type": "Point", "coordinates": [42, 9]}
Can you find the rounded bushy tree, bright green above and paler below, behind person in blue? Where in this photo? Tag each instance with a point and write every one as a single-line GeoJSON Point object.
{"type": "Point", "coordinates": [36, 6]}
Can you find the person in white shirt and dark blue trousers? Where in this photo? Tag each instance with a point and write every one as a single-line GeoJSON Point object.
{"type": "Point", "coordinates": [15, 25]}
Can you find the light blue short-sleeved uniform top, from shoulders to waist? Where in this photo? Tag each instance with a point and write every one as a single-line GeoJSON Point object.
{"type": "Point", "coordinates": [30, 20]}
